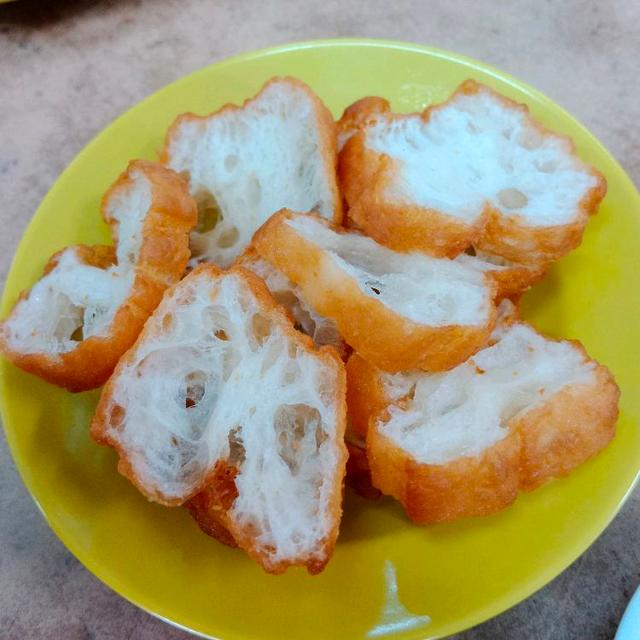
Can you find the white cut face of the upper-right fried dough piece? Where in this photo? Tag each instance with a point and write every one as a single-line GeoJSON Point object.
{"type": "Point", "coordinates": [477, 150]}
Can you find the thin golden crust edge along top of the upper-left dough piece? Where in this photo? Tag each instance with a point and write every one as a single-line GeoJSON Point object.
{"type": "Point", "coordinates": [324, 120]}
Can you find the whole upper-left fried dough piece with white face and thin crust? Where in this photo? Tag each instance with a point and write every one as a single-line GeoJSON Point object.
{"type": "Point", "coordinates": [243, 163]}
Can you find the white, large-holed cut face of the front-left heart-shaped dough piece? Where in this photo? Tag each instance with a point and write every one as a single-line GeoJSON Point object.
{"type": "Point", "coordinates": [217, 378]}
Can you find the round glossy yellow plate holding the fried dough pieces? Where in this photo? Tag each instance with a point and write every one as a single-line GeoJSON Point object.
{"type": "Point", "coordinates": [386, 576]}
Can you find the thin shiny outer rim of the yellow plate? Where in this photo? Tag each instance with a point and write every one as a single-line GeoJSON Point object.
{"type": "Point", "coordinates": [498, 606]}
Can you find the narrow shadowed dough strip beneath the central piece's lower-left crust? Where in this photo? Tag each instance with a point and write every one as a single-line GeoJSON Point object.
{"type": "Point", "coordinates": [322, 330]}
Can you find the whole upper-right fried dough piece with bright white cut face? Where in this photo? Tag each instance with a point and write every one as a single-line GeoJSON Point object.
{"type": "Point", "coordinates": [477, 169]}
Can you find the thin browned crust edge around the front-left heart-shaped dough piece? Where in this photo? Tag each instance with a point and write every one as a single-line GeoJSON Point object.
{"type": "Point", "coordinates": [209, 510]}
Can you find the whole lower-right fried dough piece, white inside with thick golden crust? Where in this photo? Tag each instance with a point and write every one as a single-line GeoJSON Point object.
{"type": "Point", "coordinates": [523, 410]}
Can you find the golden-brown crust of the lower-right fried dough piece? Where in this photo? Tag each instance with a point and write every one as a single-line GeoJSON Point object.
{"type": "Point", "coordinates": [546, 442]}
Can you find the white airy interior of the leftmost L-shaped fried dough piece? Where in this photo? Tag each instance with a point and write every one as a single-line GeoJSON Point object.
{"type": "Point", "coordinates": [75, 301]}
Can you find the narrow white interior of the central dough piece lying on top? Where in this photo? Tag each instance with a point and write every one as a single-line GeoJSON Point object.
{"type": "Point", "coordinates": [430, 291]}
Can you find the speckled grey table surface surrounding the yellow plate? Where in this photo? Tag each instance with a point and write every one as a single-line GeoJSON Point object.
{"type": "Point", "coordinates": [67, 68]}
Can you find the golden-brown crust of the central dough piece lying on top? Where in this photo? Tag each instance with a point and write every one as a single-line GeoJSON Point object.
{"type": "Point", "coordinates": [379, 335]}
